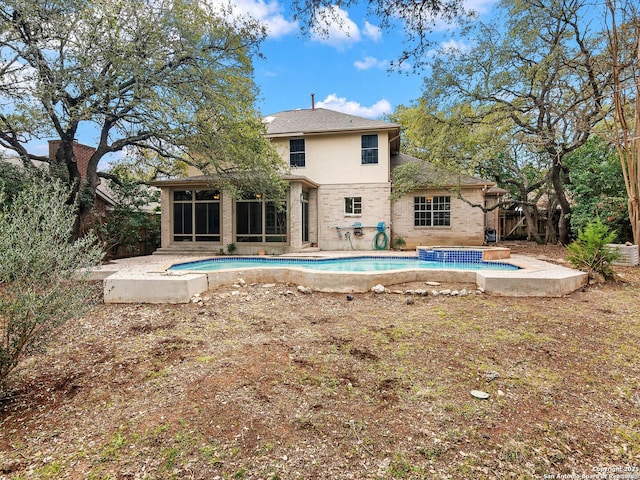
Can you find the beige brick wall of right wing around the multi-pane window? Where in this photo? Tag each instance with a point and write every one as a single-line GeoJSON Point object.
{"type": "Point", "coordinates": [467, 223]}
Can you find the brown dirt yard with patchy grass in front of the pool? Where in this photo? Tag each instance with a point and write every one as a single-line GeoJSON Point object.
{"type": "Point", "coordinates": [264, 382]}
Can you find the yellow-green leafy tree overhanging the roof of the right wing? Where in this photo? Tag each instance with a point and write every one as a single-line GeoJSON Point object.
{"type": "Point", "coordinates": [458, 140]}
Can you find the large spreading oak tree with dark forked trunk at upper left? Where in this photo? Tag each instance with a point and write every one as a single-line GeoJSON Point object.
{"type": "Point", "coordinates": [171, 77]}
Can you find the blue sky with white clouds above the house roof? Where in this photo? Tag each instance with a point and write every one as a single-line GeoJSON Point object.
{"type": "Point", "coordinates": [347, 70]}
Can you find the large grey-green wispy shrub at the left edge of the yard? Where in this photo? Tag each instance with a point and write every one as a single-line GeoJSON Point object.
{"type": "Point", "coordinates": [38, 266]}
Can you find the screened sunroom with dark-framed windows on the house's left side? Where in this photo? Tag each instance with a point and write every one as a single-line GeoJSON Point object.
{"type": "Point", "coordinates": [200, 217]}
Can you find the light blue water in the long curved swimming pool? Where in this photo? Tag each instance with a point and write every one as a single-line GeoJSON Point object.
{"type": "Point", "coordinates": [344, 264]}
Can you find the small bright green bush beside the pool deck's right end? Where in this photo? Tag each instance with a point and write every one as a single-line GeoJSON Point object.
{"type": "Point", "coordinates": [590, 252]}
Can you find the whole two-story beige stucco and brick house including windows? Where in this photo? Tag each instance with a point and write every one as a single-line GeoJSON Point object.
{"type": "Point", "coordinates": [339, 196]}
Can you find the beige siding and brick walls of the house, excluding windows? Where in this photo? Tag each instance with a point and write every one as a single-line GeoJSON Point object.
{"type": "Point", "coordinates": [334, 171]}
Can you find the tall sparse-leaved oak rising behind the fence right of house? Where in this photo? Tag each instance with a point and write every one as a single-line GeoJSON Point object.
{"type": "Point", "coordinates": [542, 70]}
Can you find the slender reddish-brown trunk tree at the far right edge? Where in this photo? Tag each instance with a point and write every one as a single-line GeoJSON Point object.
{"type": "Point", "coordinates": [624, 44]}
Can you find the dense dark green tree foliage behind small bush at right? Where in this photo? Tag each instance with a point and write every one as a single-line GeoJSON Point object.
{"type": "Point", "coordinates": [597, 188]}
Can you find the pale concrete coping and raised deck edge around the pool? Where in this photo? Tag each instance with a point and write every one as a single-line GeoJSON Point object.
{"type": "Point", "coordinates": [147, 280]}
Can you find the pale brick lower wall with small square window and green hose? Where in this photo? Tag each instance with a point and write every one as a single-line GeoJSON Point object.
{"type": "Point", "coordinates": [375, 208]}
